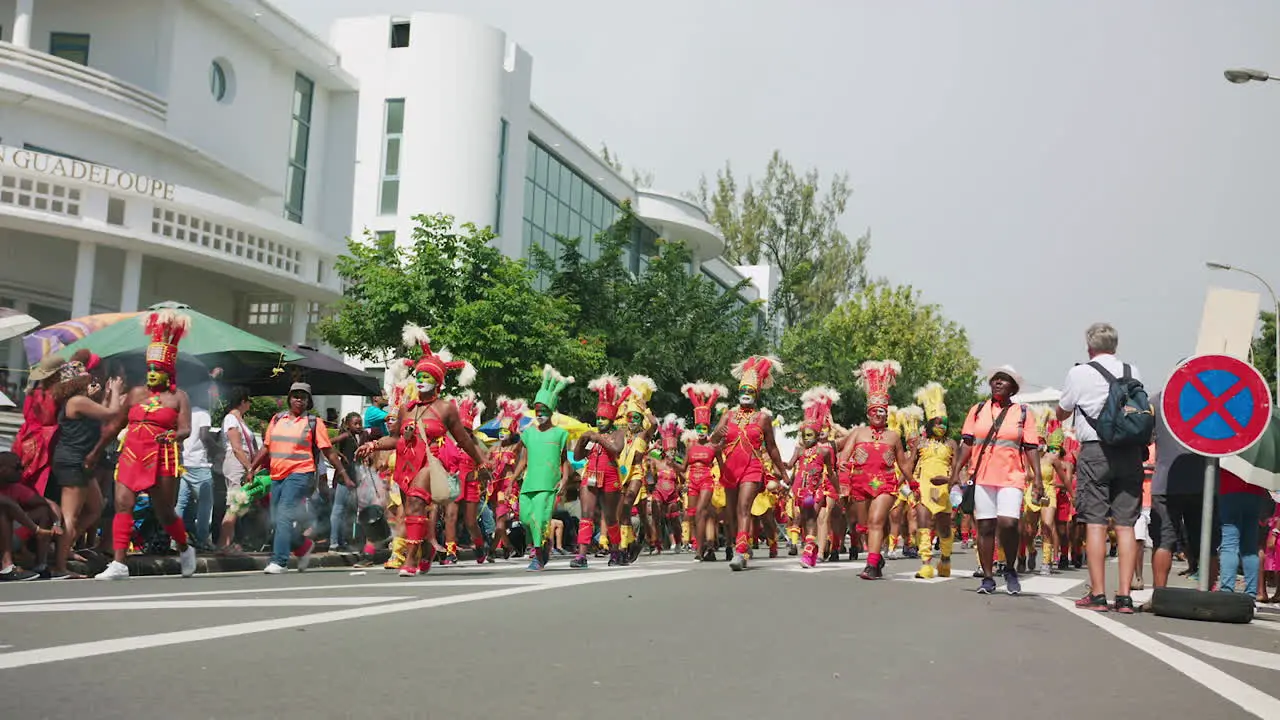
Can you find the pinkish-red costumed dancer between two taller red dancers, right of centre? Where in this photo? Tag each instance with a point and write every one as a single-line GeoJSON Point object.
{"type": "Point", "coordinates": [813, 470]}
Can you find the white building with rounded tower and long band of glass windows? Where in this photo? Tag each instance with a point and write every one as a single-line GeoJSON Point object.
{"type": "Point", "coordinates": [447, 126]}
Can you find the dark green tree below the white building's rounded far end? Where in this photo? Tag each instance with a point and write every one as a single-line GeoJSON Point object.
{"type": "Point", "coordinates": [662, 323]}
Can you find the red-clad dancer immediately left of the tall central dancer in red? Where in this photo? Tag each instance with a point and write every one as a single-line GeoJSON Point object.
{"type": "Point", "coordinates": [698, 464]}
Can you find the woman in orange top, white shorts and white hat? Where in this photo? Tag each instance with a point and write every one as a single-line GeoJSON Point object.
{"type": "Point", "coordinates": [1007, 446]}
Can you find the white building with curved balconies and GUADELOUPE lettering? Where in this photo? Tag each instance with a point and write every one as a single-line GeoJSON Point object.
{"type": "Point", "coordinates": [190, 151]}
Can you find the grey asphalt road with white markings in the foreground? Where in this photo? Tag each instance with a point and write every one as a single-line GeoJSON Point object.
{"type": "Point", "coordinates": [664, 639]}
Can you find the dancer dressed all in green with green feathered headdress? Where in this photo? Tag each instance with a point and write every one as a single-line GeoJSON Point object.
{"type": "Point", "coordinates": [547, 470]}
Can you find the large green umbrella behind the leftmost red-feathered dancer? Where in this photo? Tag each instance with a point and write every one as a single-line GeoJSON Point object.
{"type": "Point", "coordinates": [213, 343]}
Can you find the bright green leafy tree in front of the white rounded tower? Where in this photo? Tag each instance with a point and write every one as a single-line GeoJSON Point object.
{"type": "Point", "coordinates": [468, 295]}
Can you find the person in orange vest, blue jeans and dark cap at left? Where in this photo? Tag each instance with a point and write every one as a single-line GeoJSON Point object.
{"type": "Point", "coordinates": [291, 453]}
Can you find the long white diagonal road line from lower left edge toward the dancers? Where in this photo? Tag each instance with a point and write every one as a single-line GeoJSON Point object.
{"type": "Point", "coordinates": [24, 659]}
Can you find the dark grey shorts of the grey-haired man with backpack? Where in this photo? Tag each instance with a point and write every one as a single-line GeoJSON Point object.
{"type": "Point", "coordinates": [1109, 485]}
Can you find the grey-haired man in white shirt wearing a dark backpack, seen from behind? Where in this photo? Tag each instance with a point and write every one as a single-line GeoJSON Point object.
{"type": "Point", "coordinates": [1114, 423]}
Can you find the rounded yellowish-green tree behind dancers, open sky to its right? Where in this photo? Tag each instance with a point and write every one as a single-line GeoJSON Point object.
{"type": "Point", "coordinates": [883, 323]}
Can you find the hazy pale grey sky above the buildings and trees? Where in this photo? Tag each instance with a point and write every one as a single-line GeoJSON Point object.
{"type": "Point", "coordinates": [1030, 167]}
